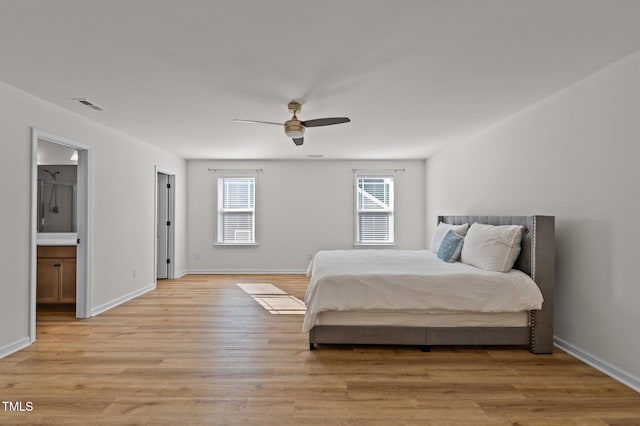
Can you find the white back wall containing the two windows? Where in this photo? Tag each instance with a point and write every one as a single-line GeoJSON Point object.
{"type": "Point", "coordinates": [302, 207]}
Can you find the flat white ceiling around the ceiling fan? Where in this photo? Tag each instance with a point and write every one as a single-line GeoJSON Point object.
{"type": "Point", "coordinates": [412, 75]}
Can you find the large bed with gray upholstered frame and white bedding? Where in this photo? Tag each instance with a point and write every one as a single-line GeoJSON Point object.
{"type": "Point", "coordinates": [415, 319]}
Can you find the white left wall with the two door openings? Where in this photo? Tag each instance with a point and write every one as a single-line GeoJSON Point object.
{"type": "Point", "coordinates": [122, 207]}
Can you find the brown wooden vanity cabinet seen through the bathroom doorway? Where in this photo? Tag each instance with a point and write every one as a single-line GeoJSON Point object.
{"type": "Point", "coordinates": [56, 279]}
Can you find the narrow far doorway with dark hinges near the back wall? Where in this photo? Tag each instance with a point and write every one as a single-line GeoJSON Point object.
{"type": "Point", "coordinates": [165, 226]}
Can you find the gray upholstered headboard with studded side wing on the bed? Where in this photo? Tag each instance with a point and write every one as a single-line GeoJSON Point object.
{"type": "Point", "coordinates": [536, 259]}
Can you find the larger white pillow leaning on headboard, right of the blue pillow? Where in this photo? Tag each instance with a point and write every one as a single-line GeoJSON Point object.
{"type": "Point", "coordinates": [492, 248]}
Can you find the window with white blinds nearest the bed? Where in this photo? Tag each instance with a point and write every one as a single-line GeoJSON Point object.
{"type": "Point", "coordinates": [374, 210]}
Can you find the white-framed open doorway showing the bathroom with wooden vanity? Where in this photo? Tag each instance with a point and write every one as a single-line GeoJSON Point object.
{"type": "Point", "coordinates": [60, 217]}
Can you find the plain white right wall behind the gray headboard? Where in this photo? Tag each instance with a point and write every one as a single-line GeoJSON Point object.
{"type": "Point", "coordinates": [574, 155]}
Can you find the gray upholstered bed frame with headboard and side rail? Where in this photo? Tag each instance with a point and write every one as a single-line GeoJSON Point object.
{"type": "Point", "coordinates": [536, 259]}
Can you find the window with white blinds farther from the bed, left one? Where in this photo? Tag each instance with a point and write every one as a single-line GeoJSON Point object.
{"type": "Point", "coordinates": [237, 210]}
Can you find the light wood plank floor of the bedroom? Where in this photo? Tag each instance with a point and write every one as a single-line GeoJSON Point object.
{"type": "Point", "coordinates": [199, 350]}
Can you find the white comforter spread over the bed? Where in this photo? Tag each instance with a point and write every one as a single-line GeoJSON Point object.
{"type": "Point", "coordinates": [343, 280]}
